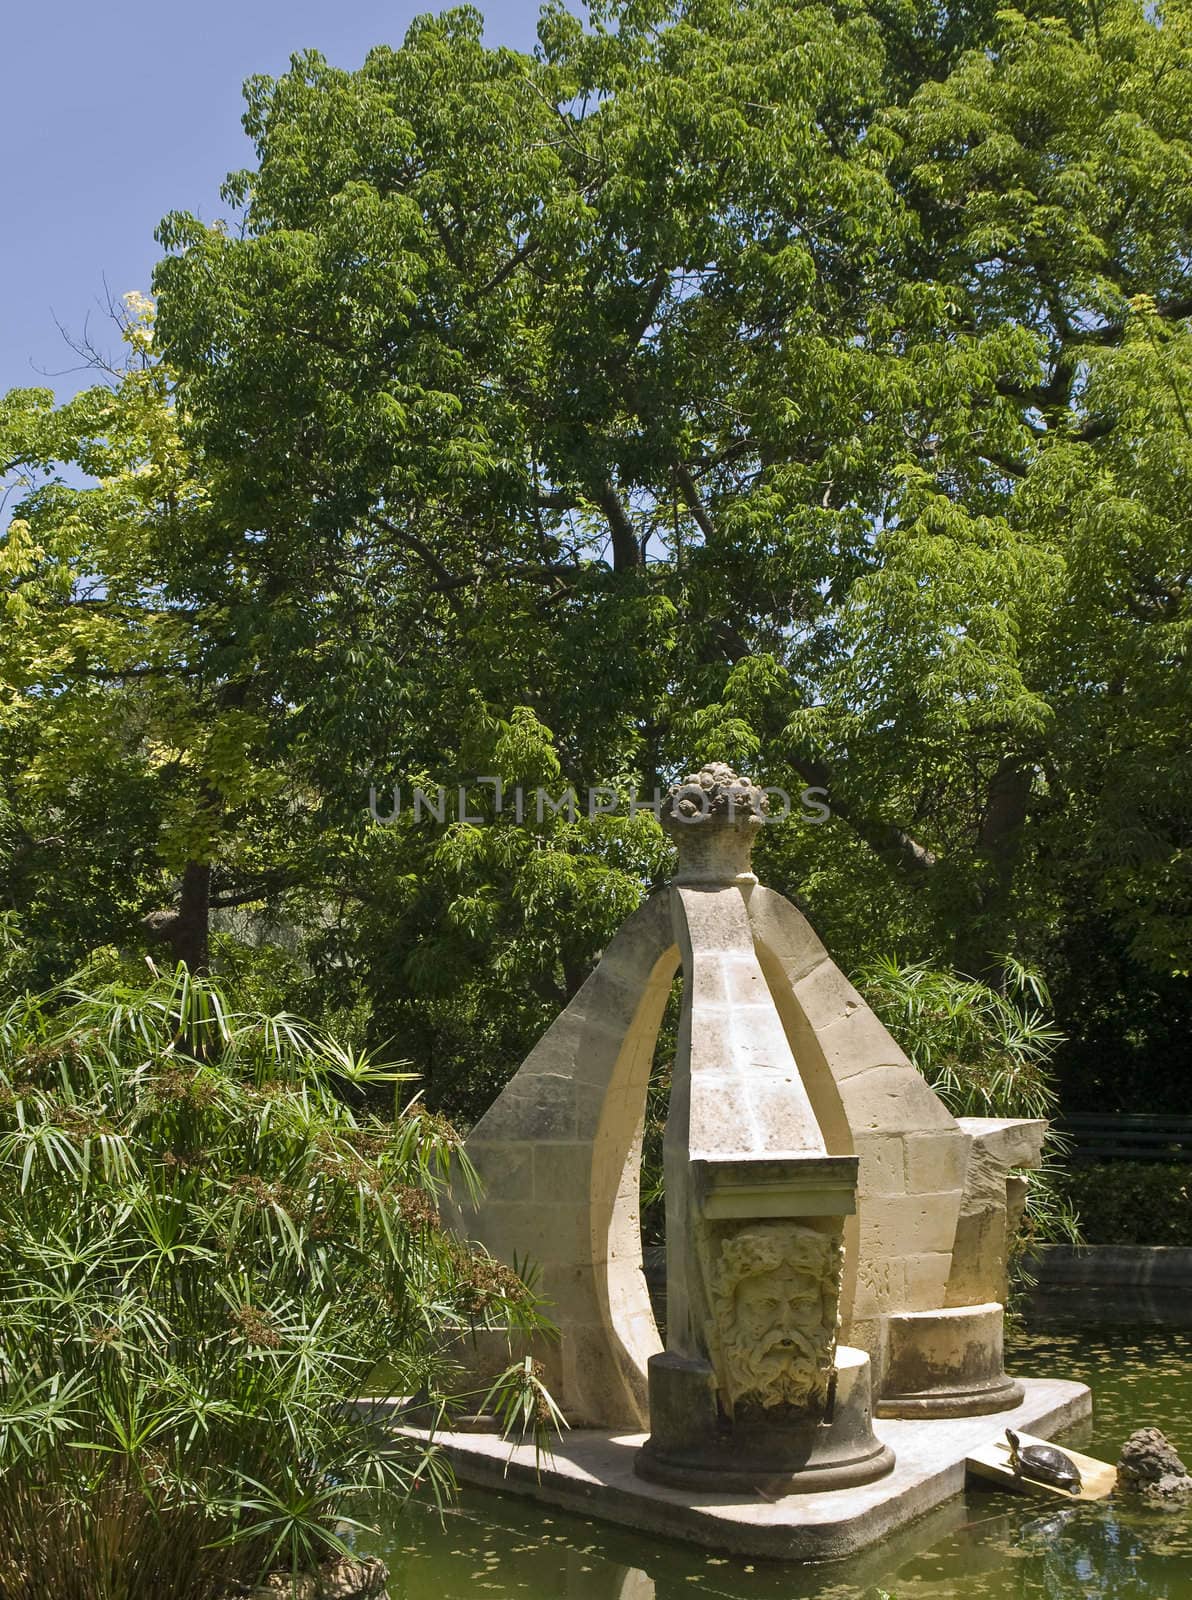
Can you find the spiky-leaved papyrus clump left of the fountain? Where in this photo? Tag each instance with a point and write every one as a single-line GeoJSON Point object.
{"type": "Point", "coordinates": [207, 1257]}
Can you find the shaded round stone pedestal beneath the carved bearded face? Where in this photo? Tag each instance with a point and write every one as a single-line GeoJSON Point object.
{"type": "Point", "coordinates": [692, 1444]}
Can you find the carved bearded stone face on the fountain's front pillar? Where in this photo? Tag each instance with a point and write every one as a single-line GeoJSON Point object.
{"type": "Point", "coordinates": [777, 1313]}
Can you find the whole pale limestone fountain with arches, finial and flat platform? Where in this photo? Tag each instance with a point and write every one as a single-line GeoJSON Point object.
{"type": "Point", "coordinates": [836, 1239]}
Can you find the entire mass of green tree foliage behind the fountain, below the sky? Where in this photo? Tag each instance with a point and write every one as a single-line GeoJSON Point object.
{"type": "Point", "coordinates": [802, 385]}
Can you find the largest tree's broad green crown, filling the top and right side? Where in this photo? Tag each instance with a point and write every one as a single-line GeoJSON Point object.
{"type": "Point", "coordinates": [727, 380]}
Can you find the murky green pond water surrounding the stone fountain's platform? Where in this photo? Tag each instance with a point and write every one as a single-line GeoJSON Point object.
{"type": "Point", "coordinates": [982, 1546]}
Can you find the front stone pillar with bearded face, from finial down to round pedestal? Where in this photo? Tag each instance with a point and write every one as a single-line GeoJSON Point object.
{"type": "Point", "coordinates": [751, 1390]}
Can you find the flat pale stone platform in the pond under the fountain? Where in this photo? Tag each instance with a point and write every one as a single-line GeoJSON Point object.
{"type": "Point", "coordinates": [593, 1474]}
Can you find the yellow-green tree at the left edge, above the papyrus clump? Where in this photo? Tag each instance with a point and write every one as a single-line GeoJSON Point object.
{"type": "Point", "coordinates": [134, 766]}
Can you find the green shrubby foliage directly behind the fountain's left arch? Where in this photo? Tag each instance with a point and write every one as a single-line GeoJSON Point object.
{"type": "Point", "coordinates": [470, 938]}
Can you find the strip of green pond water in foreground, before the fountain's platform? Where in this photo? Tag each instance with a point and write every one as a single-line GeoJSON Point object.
{"type": "Point", "coordinates": [986, 1548]}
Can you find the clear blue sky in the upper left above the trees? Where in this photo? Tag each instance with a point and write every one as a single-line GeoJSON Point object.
{"type": "Point", "coordinates": [111, 118]}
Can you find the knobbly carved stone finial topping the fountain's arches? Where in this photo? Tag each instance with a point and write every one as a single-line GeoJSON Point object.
{"type": "Point", "coordinates": [713, 817]}
